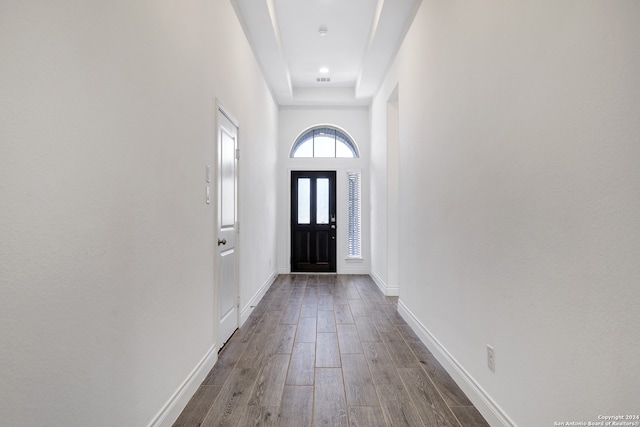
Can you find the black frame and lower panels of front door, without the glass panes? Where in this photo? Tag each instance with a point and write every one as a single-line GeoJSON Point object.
{"type": "Point", "coordinates": [317, 235]}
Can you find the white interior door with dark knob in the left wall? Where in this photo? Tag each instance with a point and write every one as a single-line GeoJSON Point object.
{"type": "Point", "coordinates": [228, 294]}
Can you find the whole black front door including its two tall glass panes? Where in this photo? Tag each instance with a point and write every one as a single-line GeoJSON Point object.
{"type": "Point", "coordinates": [313, 221]}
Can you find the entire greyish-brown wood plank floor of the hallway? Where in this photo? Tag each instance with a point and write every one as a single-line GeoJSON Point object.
{"type": "Point", "coordinates": [327, 350]}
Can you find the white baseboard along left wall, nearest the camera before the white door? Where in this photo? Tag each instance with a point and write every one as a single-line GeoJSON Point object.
{"type": "Point", "coordinates": [172, 409]}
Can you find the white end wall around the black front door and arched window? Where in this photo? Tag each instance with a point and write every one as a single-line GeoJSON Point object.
{"type": "Point", "coordinates": [293, 121]}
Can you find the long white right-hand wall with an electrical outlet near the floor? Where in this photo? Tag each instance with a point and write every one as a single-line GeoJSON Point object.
{"type": "Point", "coordinates": [519, 201]}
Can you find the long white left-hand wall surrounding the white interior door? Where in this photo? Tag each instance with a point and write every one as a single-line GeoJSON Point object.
{"type": "Point", "coordinates": [107, 114]}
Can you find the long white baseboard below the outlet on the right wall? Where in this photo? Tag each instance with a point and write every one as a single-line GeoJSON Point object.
{"type": "Point", "coordinates": [489, 409]}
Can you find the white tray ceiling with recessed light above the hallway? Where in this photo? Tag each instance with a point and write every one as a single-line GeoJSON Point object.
{"type": "Point", "coordinates": [361, 39]}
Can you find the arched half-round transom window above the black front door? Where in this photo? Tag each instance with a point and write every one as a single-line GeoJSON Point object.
{"type": "Point", "coordinates": [324, 141]}
